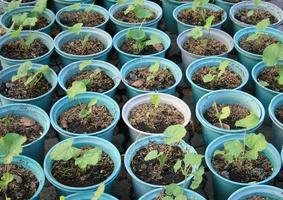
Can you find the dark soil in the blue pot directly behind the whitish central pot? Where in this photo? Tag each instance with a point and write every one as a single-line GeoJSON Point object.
{"type": "Point", "coordinates": [162, 79]}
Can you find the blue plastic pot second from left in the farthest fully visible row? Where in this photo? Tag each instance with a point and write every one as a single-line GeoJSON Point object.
{"type": "Point", "coordinates": [96, 8]}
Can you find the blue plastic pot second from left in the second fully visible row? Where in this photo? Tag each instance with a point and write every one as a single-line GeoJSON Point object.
{"type": "Point", "coordinates": [67, 36]}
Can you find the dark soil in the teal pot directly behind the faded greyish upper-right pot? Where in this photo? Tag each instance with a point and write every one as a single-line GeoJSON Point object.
{"type": "Point", "coordinates": [194, 17]}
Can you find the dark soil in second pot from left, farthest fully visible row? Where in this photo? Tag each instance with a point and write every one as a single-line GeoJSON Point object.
{"type": "Point", "coordinates": [89, 19]}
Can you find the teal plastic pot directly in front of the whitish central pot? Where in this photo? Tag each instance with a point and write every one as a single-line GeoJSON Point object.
{"type": "Point", "coordinates": [141, 187]}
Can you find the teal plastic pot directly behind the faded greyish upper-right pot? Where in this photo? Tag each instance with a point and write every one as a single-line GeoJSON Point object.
{"type": "Point", "coordinates": [181, 26]}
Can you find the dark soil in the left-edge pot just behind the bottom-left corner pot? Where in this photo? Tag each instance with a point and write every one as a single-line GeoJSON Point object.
{"type": "Point", "coordinates": [21, 125]}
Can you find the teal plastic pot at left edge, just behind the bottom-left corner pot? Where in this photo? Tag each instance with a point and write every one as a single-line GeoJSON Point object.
{"type": "Point", "coordinates": [35, 149]}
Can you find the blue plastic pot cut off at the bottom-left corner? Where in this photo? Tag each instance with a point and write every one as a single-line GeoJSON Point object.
{"type": "Point", "coordinates": [34, 167]}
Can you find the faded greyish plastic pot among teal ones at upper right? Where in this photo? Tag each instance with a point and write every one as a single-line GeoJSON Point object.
{"type": "Point", "coordinates": [188, 58]}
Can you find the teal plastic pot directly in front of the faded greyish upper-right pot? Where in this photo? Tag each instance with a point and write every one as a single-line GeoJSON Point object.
{"type": "Point", "coordinates": [199, 91]}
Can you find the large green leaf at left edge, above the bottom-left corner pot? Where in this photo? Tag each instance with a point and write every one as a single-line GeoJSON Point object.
{"type": "Point", "coordinates": [11, 145]}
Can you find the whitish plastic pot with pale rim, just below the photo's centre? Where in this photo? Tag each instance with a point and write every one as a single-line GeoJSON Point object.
{"type": "Point", "coordinates": [136, 134]}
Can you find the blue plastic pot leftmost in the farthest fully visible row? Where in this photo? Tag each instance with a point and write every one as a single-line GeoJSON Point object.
{"type": "Point", "coordinates": [6, 19]}
